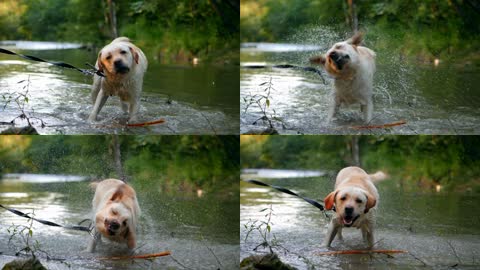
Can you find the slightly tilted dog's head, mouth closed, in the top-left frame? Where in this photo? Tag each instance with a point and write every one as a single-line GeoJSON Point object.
{"type": "Point", "coordinates": [118, 57]}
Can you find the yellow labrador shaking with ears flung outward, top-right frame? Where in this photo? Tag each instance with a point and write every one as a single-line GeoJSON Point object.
{"type": "Point", "coordinates": [352, 67]}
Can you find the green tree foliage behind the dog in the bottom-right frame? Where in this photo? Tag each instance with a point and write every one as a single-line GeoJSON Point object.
{"type": "Point", "coordinates": [453, 161]}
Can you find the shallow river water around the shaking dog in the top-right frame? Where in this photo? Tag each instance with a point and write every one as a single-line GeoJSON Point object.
{"type": "Point", "coordinates": [441, 99]}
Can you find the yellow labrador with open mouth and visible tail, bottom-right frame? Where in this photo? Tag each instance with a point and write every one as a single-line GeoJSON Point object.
{"type": "Point", "coordinates": [355, 198]}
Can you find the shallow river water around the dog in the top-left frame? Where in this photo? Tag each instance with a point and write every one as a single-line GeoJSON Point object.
{"type": "Point", "coordinates": [199, 99]}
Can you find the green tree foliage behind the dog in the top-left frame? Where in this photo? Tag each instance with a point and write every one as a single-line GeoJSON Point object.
{"type": "Point", "coordinates": [166, 29]}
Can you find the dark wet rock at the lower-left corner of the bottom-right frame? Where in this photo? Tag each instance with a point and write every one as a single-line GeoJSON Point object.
{"type": "Point", "coordinates": [265, 262]}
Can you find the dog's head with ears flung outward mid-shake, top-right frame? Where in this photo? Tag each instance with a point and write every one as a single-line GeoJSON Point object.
{"type": "Point", "coordinates": [338, 60]}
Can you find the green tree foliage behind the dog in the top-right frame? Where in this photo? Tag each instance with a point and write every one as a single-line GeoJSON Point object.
{"type": "Point", "coordinates": [419, 27]}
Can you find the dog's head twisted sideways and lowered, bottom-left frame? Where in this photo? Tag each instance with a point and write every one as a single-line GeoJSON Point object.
{"type": "Point", "coordinates": [116, 219]}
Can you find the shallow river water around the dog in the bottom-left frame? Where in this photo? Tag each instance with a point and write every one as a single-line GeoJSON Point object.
{"type": "Point", "coordinates": [201, 233]}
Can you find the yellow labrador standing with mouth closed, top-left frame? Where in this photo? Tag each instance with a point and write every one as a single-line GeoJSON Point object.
{"type": "Point", "coordinates": [123, 65]}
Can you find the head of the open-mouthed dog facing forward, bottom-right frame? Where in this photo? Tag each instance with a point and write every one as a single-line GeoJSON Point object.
{"type": "Point", "coordinates": [350, 203]}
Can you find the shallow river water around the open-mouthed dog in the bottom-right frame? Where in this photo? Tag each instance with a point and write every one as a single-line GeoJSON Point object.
{"type": "Point", "coordinates": [438, 230]}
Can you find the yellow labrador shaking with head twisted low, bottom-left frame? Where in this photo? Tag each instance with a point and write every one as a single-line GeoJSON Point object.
{"type": "Point", "coordinates": [116, 213]}
